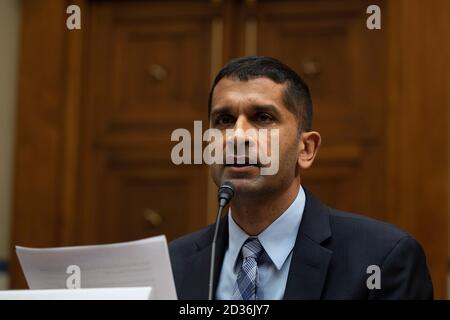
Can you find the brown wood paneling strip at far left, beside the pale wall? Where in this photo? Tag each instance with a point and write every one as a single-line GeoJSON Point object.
{"type": "Point", "coordinates": [40, 130]}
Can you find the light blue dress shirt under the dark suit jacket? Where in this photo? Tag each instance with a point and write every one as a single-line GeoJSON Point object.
{"type": "Point", "coordinates": [278, 240]}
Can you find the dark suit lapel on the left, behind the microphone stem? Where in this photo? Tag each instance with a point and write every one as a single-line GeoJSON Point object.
{"type": "Point", "coordinates": [196, 277]}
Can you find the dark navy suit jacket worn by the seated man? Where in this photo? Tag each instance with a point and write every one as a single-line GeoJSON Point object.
{"type": "Point", "coordinates": [330, 258]}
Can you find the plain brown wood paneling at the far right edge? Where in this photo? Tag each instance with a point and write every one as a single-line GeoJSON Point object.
{"type": "Point", "coordinates": [417, 122]}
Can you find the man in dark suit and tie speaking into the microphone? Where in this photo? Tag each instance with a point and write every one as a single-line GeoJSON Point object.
{"type": "Point", "coordinates": [278, 241]}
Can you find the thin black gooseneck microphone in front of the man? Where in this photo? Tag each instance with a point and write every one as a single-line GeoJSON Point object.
{"type": "Point", "coordinates": [224, 196]}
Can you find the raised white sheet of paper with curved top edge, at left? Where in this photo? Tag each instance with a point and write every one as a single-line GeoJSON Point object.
{"type": "Point", "coordinates": [141, 263]}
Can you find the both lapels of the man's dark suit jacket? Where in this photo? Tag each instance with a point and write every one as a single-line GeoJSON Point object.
{"type": "Point", "coordinates": [309, 264]}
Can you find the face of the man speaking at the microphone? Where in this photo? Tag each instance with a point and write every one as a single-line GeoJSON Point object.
{"type": "Point", "coordinates": [255, 104]}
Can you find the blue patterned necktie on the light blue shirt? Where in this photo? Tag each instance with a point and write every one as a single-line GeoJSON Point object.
{"type": "Point", "coordinates": [245, 288]}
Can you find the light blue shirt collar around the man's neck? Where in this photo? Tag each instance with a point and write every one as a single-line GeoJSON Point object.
{"type": "Point", "coordinates": [278, 239]}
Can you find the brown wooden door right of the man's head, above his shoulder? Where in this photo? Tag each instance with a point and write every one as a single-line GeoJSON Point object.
{"type": "Point", "coordinates": [343, 63]}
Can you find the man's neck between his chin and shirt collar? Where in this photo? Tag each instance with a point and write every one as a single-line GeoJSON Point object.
{"type": "Point", "coordinates": [256, 215]}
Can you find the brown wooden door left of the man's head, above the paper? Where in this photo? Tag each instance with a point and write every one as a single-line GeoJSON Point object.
{"type": "Point", "coordinates": [148, 73]}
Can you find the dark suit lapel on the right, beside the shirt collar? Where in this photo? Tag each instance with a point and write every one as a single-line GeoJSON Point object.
{"type": "Point", "coordinates": [310, 260]}
